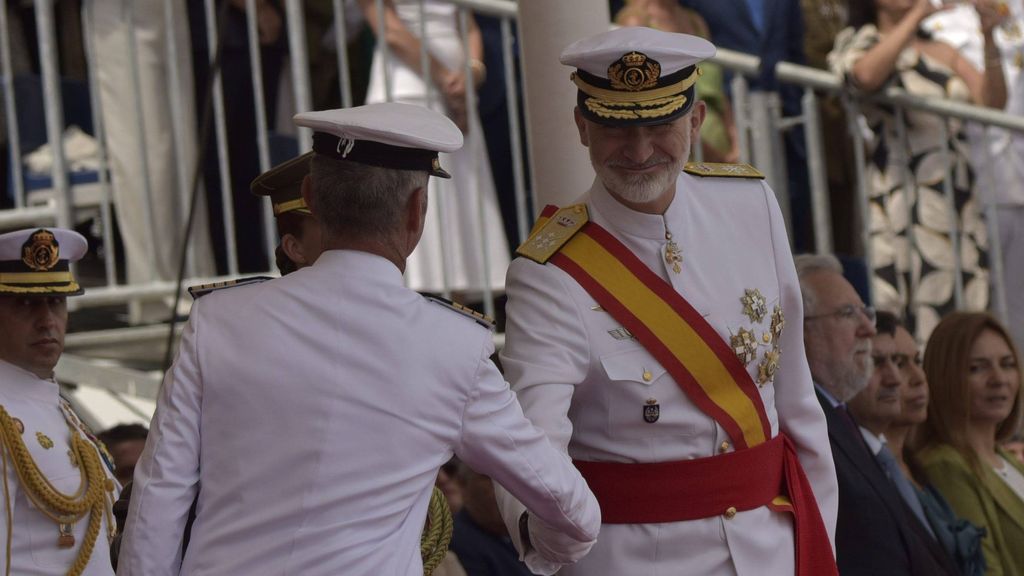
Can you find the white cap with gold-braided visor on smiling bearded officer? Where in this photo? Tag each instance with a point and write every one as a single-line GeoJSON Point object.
{"type": "Point", "coordinates": [636, 75]}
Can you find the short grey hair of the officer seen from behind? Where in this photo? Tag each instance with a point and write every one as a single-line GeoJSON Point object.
{"type": "Point", "coordinates": [354, 199]}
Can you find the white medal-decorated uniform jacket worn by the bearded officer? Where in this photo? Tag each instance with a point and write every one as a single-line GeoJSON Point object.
{"type": "Point", "coordinates": [580, 381]}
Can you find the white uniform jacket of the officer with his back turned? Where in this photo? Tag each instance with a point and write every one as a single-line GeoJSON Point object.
{"type": "Point", "coordinates": [312, 415]}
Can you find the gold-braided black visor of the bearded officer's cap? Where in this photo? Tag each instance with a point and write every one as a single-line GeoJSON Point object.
{"type": "Point", "coordinates": [629, 106]}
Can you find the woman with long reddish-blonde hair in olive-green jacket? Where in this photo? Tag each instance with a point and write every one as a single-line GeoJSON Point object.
{"type": "Point", "coordinates": [973, 371]}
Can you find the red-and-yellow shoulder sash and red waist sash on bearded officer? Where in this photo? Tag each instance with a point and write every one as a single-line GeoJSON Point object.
{"type": "Point", "coordinates": [712, 377]}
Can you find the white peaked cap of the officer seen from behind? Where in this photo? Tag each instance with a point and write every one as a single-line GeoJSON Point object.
{"type": "Point", "coordinates": [389, 136]}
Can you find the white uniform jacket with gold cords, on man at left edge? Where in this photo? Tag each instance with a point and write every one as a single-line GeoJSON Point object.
{"type": "Point", "coordinates": [34, 550]}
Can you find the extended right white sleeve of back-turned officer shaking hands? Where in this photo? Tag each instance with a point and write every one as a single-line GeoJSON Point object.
{"type": "Point", "coordinates": [499, 441]}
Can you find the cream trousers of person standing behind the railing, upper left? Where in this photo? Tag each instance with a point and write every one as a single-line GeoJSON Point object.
{"type": "Point", "coordinates": [137, 103]}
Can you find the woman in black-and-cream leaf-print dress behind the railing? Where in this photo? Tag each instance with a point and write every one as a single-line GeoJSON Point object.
{"type": "Point", "coordinates": [882, 49]}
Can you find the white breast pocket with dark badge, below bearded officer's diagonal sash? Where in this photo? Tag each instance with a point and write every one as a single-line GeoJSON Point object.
{"type": "Point", "coordinates": [643, 400]}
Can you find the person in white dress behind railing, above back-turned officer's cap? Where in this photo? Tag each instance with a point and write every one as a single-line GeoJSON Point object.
{"type": "Point", "coordinates": [452, 254]}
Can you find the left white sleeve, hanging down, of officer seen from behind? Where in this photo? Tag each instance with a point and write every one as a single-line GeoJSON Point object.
{"type": "Point", "coordinates": [167, 475]}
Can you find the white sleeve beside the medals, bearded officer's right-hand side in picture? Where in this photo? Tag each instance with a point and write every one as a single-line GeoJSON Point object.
{"type": "Point", "coordinates": [800, 416]}
